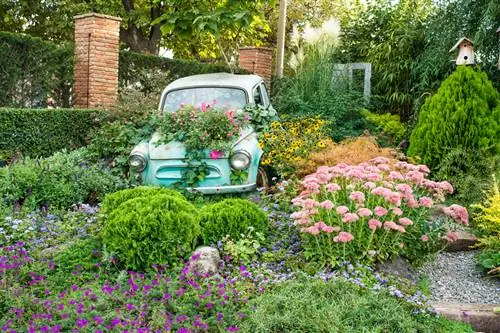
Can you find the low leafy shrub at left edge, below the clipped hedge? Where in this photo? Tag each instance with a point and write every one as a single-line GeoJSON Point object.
{"type": "Point", "coordinates": [59, 181]}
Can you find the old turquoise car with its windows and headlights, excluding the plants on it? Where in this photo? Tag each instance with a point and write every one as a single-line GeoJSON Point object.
{"type": "Point", "coordinates": [164, 164]}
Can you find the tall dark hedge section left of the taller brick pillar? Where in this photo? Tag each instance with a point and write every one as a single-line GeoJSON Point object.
{"type": "Point", "coordinates": [32, 70]}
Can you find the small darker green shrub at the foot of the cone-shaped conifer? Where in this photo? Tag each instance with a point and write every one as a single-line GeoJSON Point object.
{"type": "Point", "coordinates": [469, 171]}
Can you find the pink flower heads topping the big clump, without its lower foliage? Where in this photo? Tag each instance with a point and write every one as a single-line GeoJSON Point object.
{"type": "Point", "coordinates": [377, 194]}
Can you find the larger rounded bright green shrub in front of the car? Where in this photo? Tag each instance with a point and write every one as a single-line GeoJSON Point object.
{"type": "Point", "coordinates": [160, 229]}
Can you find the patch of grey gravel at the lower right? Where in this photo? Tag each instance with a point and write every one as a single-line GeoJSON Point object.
{"type": "Point", "coordinates": [455, 278]}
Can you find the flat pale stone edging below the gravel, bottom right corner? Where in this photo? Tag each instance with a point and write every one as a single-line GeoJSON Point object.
{"type": "Point", "coordinates": [480, 316]}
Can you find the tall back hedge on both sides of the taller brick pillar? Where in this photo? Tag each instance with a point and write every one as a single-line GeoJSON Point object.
{"type": "Point", "coordinates": [33, 69]}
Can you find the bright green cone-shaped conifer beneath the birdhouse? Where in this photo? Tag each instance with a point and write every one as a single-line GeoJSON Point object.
{"type": "Point", "coordinates": [465, 112]}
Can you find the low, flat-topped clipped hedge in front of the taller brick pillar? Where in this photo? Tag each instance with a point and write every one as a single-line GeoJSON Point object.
{"type": "Point", "coordinates": [42, 132]}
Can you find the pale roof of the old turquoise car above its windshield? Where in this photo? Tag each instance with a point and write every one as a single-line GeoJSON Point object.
{"type": "Point", "coordinates": [246, 82]}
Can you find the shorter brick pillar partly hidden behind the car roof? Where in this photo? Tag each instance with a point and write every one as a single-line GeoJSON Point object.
{"type": "Point", "coordinates": [258, 60]}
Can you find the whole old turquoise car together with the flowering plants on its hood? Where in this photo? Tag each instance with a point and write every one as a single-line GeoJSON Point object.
{"type": "Point", "coordinates": [206, 138]}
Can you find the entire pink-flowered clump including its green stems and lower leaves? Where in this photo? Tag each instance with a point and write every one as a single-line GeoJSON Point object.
{"type": "Point", "coordinates": [372, 211]}
